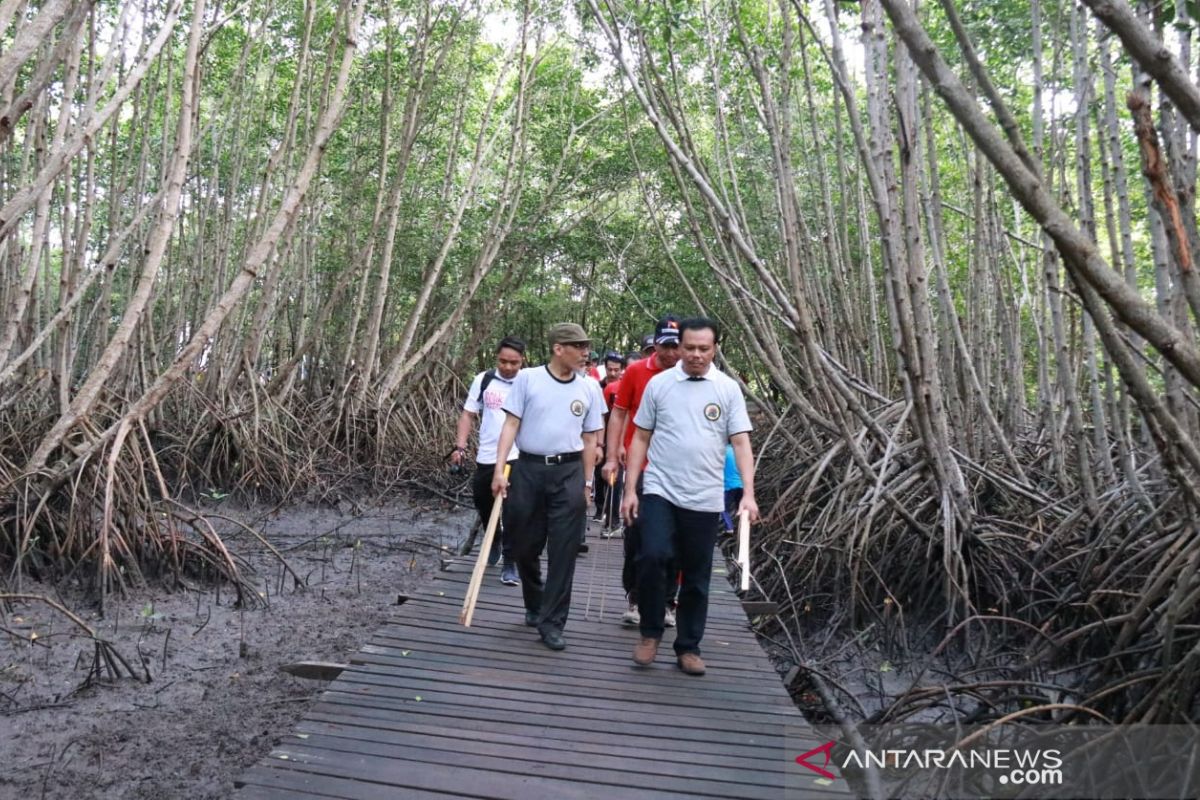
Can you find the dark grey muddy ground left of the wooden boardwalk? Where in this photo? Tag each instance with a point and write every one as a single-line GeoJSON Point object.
{"type": "Point", "coordinates": [217, 700]}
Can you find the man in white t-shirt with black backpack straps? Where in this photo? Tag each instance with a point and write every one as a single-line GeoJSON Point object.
{"type": "Point", "coordinates": [485, 400]}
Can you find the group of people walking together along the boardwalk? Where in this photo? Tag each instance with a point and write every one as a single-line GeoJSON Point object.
{"type": "Point", "coordinates": [649, 440]}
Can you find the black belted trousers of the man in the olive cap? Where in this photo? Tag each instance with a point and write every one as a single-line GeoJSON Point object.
{"type": "Point", "coordinates": [547, 512]}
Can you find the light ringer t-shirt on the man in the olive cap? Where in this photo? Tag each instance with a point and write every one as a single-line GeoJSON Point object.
{"type": "Point", "coordinates": [554, 413]}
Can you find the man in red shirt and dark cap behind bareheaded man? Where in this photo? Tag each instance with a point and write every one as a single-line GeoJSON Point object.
{"type": "Point", "coordinates": [621, 435]}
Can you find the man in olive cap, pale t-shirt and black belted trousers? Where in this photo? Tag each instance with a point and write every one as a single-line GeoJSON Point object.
{"type": "Point", "coordinates": [554, 417]}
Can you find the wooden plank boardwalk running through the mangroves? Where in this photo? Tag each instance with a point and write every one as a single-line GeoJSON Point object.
{"type": "Point", "coordinates": [431, 709]}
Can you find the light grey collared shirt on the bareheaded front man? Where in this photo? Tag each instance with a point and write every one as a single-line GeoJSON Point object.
{"type": "Point", "coordinates": [692, 420]}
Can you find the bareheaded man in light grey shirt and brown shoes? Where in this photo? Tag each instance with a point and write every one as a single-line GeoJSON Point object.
{"type": "Point", "coordinates": [687, 417]}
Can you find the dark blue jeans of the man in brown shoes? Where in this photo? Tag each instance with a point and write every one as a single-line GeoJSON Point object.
{"type": "Point", "coordinates": [675, 538]}
